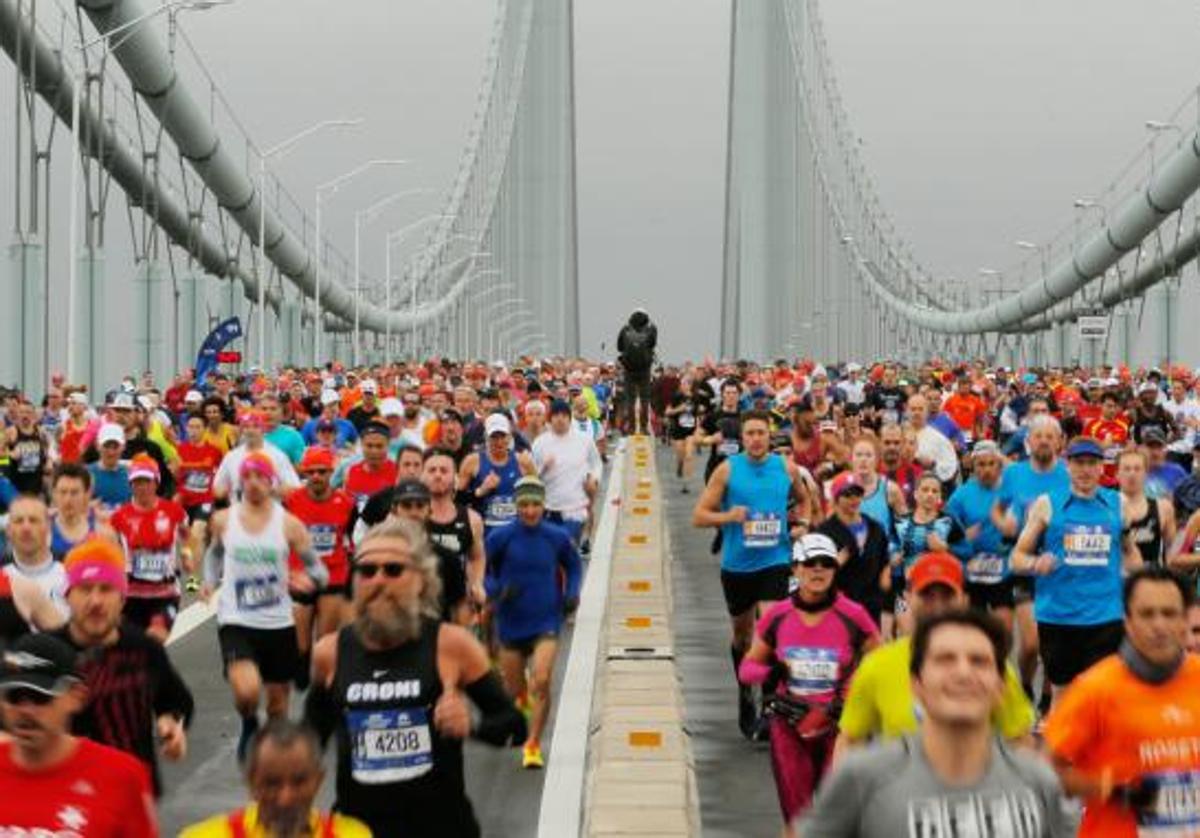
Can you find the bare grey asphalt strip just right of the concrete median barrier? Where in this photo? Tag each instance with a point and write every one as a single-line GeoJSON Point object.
{"type": "Point", "coordinates": [737, 792]}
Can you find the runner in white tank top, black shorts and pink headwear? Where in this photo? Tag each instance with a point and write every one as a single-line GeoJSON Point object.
{"type": "Point", "coordinates": [251, 543]}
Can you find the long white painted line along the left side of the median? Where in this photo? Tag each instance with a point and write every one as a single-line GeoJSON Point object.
{"type": "Point", "coordinates": [562, 794]}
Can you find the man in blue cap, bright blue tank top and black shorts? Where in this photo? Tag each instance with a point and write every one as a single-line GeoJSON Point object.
{"type": "Point", "coordinates": [1075, 542]}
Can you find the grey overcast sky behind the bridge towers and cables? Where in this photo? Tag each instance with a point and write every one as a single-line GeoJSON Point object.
{"type": "Point", "coordinates": [981, 122]}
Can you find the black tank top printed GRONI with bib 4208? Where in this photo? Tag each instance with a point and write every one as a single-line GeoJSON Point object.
{"type": "Point", "coordinates": [394, 769]}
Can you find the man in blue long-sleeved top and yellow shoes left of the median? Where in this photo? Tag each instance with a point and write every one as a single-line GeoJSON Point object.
{"type": "Point", "coordinates": [525, 562]}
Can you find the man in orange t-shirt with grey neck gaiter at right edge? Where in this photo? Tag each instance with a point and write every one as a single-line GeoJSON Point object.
{"type": "Point", "coordinates": [1126, 734]}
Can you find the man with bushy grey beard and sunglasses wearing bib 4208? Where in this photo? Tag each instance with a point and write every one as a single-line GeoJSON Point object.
{"type": "Point", "coordinates": [392, 686]}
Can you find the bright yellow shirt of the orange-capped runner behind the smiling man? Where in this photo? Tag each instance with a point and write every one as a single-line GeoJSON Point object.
{"type": "Point", "coordinates": [880, 702]}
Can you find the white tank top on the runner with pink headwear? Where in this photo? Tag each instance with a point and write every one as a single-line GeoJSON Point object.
{"type": "Point", "coordinates": [255, 582]}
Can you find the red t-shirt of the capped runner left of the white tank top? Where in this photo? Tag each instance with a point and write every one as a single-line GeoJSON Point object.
{"type": "Point", "coordinates": [149, 537]}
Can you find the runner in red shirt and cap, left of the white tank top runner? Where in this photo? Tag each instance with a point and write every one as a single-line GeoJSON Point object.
{"type": "Point", "coordinates": [154, 534]}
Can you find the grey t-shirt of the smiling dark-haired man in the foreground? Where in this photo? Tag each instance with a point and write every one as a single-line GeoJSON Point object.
{"type": "Point", "coordinates": [891, 792]}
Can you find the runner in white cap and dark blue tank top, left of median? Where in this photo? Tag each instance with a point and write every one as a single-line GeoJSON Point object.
{"type": "Point", "coordinates": [490, 475]}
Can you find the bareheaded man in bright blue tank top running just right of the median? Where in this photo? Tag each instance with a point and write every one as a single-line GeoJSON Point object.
{"type": "Point", "coordinates": [747, 496]}
